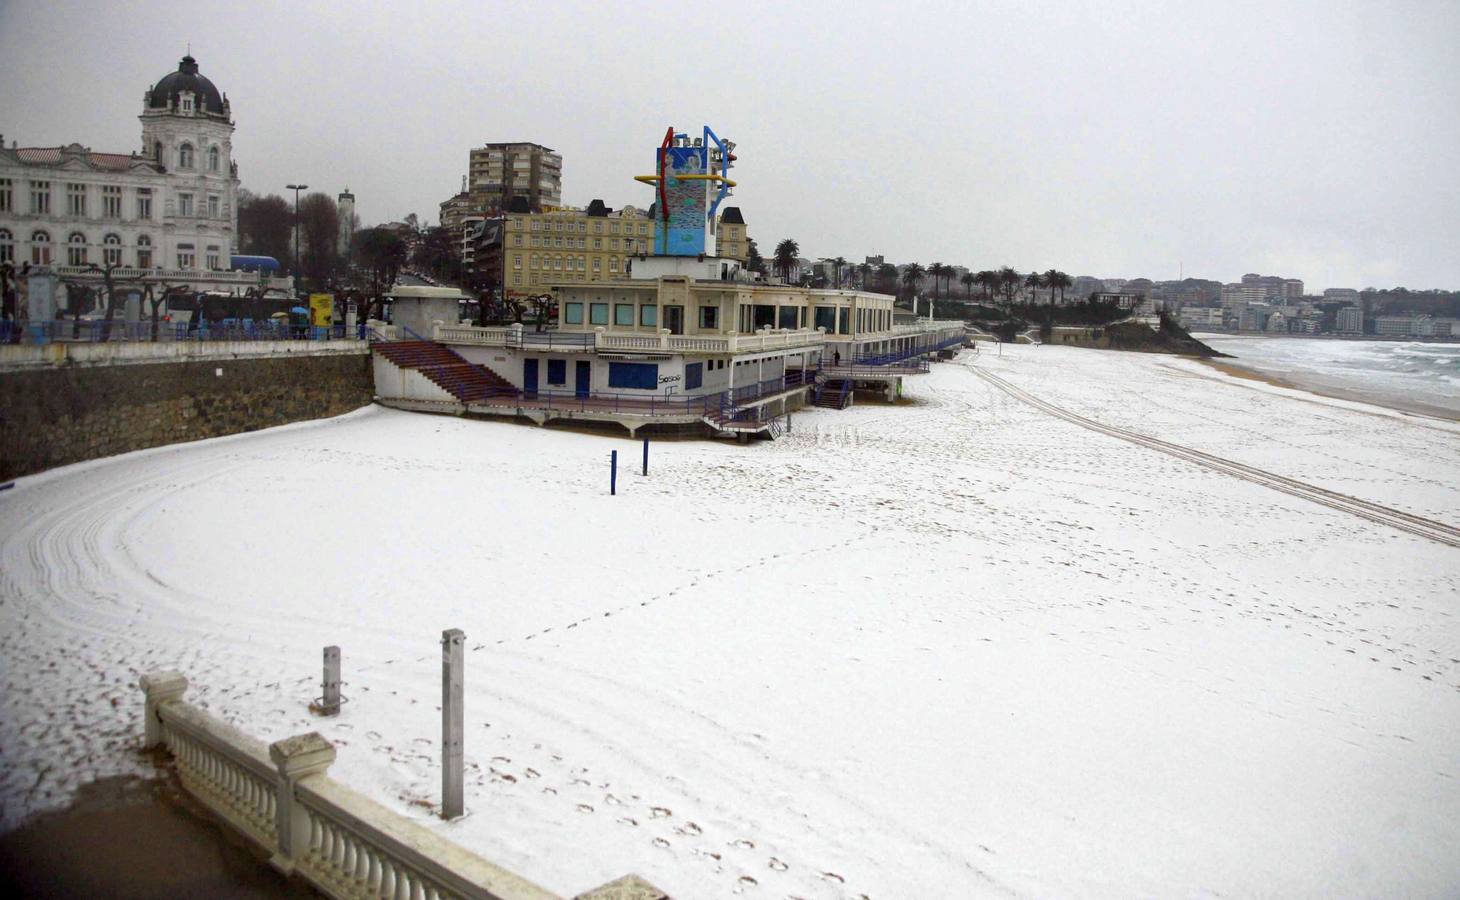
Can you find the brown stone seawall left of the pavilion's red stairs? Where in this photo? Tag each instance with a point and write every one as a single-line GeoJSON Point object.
{"type": "Point", "coordinates": [58, 416]}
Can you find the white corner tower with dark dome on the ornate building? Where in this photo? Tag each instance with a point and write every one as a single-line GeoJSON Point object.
{"type": "Point", "coordinates": [188, 129]}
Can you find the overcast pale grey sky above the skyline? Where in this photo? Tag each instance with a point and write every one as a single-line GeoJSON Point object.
{"type": "Point", "coordinates": [1319, 141]}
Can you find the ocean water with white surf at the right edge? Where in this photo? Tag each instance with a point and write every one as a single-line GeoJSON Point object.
{"type": "Point", "coordinates": [1392, 373]}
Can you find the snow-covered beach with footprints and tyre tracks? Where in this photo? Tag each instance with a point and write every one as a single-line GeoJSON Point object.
{"type": "Point", "coordinates": [942, 649]}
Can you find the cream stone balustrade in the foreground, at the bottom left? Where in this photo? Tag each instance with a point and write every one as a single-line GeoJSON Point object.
{"type": "Point", "coordinates": [341, 842]}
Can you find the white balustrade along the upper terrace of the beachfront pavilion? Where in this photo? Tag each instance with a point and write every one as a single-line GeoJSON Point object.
{"type": "Point", "coordinates": [604, 340]}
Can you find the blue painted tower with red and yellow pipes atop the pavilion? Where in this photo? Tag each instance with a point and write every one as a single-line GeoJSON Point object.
{"type": "Point", "coordinates": [691, 182]}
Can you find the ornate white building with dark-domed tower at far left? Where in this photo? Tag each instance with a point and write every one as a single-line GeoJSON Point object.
{"type": "Point", "coordinates": [166, 213]}
